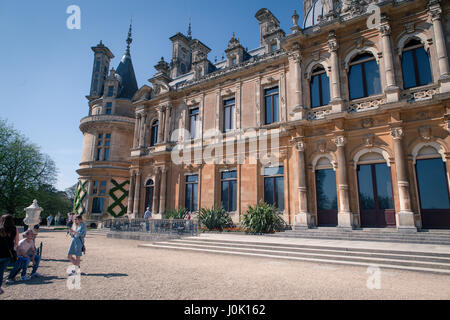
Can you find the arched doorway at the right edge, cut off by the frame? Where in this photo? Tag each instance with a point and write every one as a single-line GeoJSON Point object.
{"type": "Point", "coordinates": [433, 189]}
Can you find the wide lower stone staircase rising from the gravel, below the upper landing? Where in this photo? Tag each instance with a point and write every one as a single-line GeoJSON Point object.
{"type": "Point", "coordinates": [412, 260]}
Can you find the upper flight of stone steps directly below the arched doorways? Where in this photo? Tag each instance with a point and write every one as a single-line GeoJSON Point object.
{"type": "Point", "coordinates": [438, 237]}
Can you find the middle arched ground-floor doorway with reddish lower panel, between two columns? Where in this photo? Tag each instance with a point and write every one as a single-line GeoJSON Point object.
{"type": "Point", "coordinates": [376, 202]}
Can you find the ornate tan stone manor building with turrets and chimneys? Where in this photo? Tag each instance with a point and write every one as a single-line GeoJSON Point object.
{"type": "Point", "coordinates": [358, 93]}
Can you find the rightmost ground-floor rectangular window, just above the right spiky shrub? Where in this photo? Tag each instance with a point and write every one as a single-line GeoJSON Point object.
{"type": "Point", "coordinates": [274, 187]}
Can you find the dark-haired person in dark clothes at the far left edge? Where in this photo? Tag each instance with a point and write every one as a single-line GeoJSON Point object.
{"type": "Point", "coordinates": [9, 238]}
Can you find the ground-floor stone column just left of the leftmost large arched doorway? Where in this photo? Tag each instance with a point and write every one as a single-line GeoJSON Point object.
{"type": "Point", "coordinates": [304, 219]}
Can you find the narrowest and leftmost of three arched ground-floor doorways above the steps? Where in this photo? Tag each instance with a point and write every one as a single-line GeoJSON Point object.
{"type": "Point", "coordinates": [326, 193]}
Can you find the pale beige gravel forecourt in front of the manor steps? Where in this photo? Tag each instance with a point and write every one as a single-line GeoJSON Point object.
{"type": "Point", "coordinates": [117, 269]}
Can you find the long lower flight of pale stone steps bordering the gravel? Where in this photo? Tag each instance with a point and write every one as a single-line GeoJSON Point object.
{"type": "Point", "coordinates": [274, 252]}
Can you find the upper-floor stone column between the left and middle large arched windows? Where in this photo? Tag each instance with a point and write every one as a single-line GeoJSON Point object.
{"type": "Point", "coordinates": [336, 99]}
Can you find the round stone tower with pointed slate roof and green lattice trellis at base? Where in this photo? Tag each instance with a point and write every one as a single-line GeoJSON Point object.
{"type": "Point", "coordinates": [108, 131]}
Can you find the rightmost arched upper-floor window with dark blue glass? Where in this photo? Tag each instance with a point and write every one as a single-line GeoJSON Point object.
{"type": "Point", "coordinates": [415, 65]}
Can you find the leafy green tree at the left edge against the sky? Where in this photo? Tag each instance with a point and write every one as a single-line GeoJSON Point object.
{"type": "Point", "coordinates": [24, 171]}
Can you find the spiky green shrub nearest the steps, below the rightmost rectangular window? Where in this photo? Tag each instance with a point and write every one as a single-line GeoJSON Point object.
{"type": "Point", "coordinates": [262, 219]}
